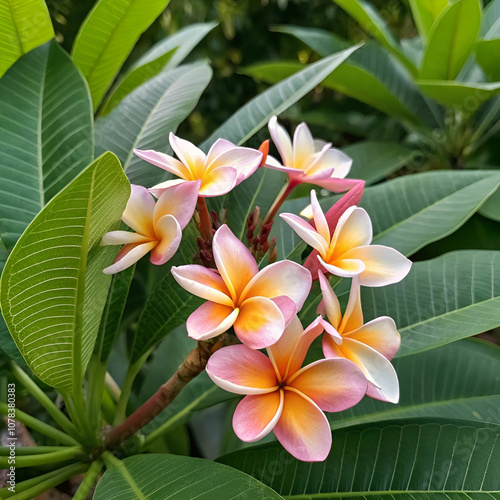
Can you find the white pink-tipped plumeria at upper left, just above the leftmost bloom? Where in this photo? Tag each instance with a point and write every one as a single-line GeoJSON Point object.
{"type": "Point", "coordinates": [224, 167]}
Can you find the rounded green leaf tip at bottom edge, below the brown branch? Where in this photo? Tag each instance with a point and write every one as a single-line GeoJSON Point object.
{"type": "Point", "coordinates": [160, 476]}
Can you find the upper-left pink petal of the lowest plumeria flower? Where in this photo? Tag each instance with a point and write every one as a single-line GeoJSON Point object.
{"type": "Point", "coordinates": [242, 370]}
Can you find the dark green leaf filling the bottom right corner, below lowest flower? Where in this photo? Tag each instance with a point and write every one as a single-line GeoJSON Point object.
{"type": "Point", "coordinates": [407, 460]}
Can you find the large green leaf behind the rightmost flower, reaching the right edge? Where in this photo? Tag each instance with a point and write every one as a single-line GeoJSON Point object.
{"type": "Point", "coordinates": [409, 212]}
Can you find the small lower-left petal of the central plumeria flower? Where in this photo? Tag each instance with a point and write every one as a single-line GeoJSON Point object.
{"type": "Point", "coordinates": [210, 320]}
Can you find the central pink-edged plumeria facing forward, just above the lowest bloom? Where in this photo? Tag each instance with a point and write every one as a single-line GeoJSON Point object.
{"type": "Point", "coordinates": [258, 304]}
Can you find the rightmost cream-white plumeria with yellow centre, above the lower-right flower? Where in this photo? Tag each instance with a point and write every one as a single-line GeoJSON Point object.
{"type": "Point", "coordinates": [346, 251]}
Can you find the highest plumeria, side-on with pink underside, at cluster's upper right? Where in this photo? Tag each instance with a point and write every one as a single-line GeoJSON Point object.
{"type": "Point", "coordinates": [309, 160]}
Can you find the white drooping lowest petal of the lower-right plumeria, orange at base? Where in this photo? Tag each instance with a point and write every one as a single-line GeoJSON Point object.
{"type": "Point", "coordinates": [376, 368]}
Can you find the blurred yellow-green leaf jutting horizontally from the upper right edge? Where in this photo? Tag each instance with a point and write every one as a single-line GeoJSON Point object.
{"type": "Point", "coordinates": [468, 97]}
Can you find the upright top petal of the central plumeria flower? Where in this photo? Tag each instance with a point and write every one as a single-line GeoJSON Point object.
{"type": "Point", "coordinates": [234, 261]}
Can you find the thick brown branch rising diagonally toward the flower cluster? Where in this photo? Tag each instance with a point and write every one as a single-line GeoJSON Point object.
{"type": "Point", "coordinates": [192, 366]}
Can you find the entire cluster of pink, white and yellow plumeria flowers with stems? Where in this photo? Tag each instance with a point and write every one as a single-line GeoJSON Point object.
{"type": "Point", "coordinates": [261, 306]}
